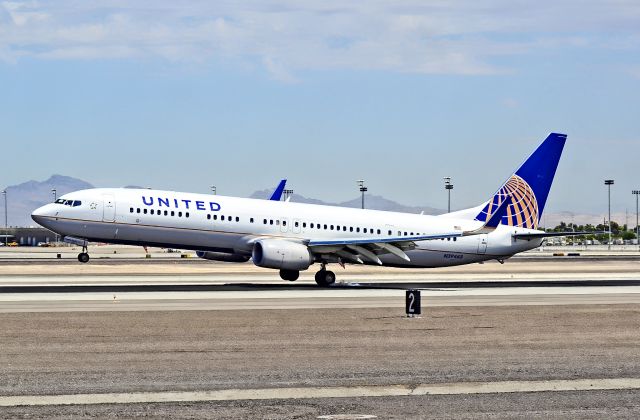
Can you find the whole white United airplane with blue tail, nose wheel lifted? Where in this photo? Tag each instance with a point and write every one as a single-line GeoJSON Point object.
{"type": "Point", "coordinates": [291, 237]}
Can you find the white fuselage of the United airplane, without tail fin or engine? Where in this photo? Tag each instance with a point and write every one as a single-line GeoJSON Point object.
{"type": "Point", "coordinates": [231, 225]}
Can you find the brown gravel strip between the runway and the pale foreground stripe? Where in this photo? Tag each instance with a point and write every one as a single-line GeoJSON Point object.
{"type": "Point", "coordinates": [60, 353]}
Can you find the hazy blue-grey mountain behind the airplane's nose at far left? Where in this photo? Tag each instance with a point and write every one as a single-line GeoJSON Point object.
{"type": "Point", "coordinates": [22, 199]}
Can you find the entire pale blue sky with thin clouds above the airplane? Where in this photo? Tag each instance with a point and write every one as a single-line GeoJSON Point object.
{"type": "Point", "coordinates": [401, 93]}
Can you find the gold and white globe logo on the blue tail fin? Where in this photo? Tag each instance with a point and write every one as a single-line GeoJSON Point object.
{"type": "Point", "coordinates": [523, 210]}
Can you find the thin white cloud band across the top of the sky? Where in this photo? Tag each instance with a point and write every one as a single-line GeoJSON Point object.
{"type": "Point", "coordinates": [443, 37]}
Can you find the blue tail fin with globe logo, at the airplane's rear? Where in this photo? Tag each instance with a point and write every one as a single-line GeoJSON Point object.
{"type": "Point", "coordinates": [529, 186]}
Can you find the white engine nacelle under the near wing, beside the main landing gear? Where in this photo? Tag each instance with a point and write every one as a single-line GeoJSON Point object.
{"type": "Point", "coordinates": [282, 255]}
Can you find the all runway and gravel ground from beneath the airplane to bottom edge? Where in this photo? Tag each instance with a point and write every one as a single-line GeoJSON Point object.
{"type": "Point", "coordinates": [190, 339]}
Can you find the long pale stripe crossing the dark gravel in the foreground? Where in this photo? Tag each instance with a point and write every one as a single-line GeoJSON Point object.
{"type": "Point", "coordinates": [458, 388]}
